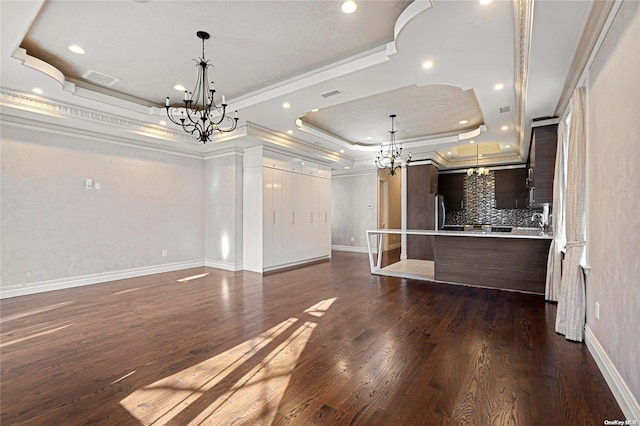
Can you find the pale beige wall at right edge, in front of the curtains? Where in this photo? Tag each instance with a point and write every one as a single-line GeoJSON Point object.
{"type": "Point", "coordinates": [614, 195]}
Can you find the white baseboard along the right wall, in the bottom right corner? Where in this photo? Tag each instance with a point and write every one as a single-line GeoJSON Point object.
{"type": "Point", "coordinates": [621, 392]}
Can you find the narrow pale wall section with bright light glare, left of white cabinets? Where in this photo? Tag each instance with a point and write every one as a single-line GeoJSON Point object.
{"type": "Point", "coordinates": [223, 211]}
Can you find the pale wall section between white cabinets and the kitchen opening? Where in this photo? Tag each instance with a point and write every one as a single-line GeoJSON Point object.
{"type": "Point", "coordinates": [353, 210]}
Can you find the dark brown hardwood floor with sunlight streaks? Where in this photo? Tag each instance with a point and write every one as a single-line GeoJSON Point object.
{"type": "Point", "coordinates": [322, 344]}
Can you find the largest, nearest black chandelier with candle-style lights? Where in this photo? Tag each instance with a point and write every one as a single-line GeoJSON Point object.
{"type": "Point", "coordinates": [202, 119]}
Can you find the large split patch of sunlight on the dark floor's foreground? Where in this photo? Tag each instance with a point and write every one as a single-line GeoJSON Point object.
{"type": "Point", "coordinates": [254, 398]}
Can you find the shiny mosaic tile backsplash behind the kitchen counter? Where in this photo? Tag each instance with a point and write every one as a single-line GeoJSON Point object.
{"type": "Point", "coordinates": [480, 206]}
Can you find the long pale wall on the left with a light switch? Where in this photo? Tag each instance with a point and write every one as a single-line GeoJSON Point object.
{"type": "Point", "coordinates": [54, 229]}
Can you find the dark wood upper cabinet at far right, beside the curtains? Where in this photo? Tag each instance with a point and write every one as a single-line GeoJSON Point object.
{"type": "Point", "coordinates": [542, 162]}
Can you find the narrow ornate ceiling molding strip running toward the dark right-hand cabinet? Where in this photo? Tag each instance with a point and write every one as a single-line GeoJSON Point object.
{"type": "Point", "coordinates": [523, 10]}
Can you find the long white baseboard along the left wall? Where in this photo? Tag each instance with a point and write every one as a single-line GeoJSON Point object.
{"type": "Point", "coordinates": [62, 283]}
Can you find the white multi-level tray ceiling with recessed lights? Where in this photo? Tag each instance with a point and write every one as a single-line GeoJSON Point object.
{"type": "Point", "coordinates": [266, 53]}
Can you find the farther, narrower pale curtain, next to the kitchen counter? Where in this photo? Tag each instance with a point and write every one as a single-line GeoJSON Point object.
{"type": "Point", "coordinates": [554, 267]}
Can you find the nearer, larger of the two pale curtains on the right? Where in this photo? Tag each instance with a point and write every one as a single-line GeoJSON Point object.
{"type": "Point", "coordinates": [571, 304]}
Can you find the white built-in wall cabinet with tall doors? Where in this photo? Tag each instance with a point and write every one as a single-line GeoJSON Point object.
{"type": "Point", "coordinates": [287, 210]}
